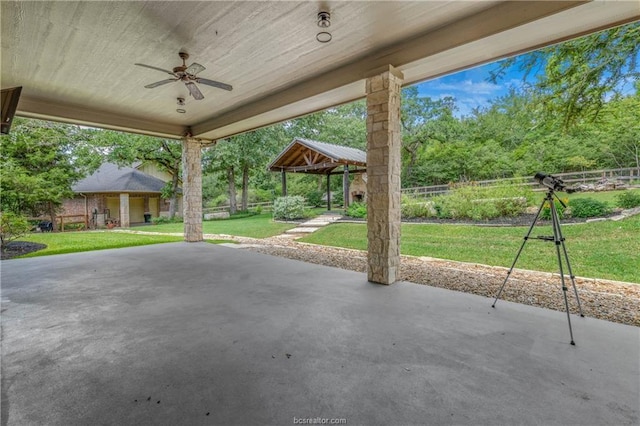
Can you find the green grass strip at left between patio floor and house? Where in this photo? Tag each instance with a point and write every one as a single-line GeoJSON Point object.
{"type": "Point", "coordinates": [73, 242]}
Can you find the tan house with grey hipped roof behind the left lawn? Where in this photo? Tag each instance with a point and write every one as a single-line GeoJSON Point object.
{"type": "Point", "coordinates": [120, 195]}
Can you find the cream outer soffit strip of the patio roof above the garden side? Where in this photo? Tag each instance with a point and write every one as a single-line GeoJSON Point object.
{"type": "Point", "coordinates": [574, 22]}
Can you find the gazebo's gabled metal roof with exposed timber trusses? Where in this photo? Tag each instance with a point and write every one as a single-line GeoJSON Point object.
{"type": "Point", "coordinates": [308, 156]}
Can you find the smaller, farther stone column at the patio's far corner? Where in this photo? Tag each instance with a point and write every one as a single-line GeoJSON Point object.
{"type": "Point", "coordinates": [192, 189]}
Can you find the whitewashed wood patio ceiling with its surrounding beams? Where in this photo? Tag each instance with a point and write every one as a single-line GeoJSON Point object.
{"type": "Point", "coordinates": [75, 60]}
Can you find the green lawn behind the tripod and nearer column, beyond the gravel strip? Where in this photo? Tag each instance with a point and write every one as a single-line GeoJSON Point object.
{"type": "Point", "coordinates": [600, 249]}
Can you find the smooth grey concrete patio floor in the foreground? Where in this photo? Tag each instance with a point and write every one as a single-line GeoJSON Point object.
{"type": "Point", "coordinates": [190, 334]}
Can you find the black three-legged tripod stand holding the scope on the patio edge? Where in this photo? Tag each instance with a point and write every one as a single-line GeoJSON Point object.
{"type": "Point", "coordinates": [558, 239]}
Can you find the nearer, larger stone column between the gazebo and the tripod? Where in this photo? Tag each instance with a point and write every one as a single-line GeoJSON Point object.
{"type": "Point", "coordinates": [384, 141]}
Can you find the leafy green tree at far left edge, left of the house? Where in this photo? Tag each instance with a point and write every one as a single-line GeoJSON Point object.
{"type": "Point", "coordinates": [40, 162]}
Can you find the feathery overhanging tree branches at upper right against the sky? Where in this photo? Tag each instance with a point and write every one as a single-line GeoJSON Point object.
{"type": "Point", "coordinates": [579, 76]}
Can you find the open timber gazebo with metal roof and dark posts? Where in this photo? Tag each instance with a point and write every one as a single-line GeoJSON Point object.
{"type": "Point", "coordinates": [313, 157]}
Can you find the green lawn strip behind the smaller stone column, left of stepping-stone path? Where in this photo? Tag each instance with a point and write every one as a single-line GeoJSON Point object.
{"type": "Point", "coordinates": [258, 226]}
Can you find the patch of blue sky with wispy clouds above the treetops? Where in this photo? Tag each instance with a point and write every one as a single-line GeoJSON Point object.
{"type": "Point", "coordinates": [471, 88]}
